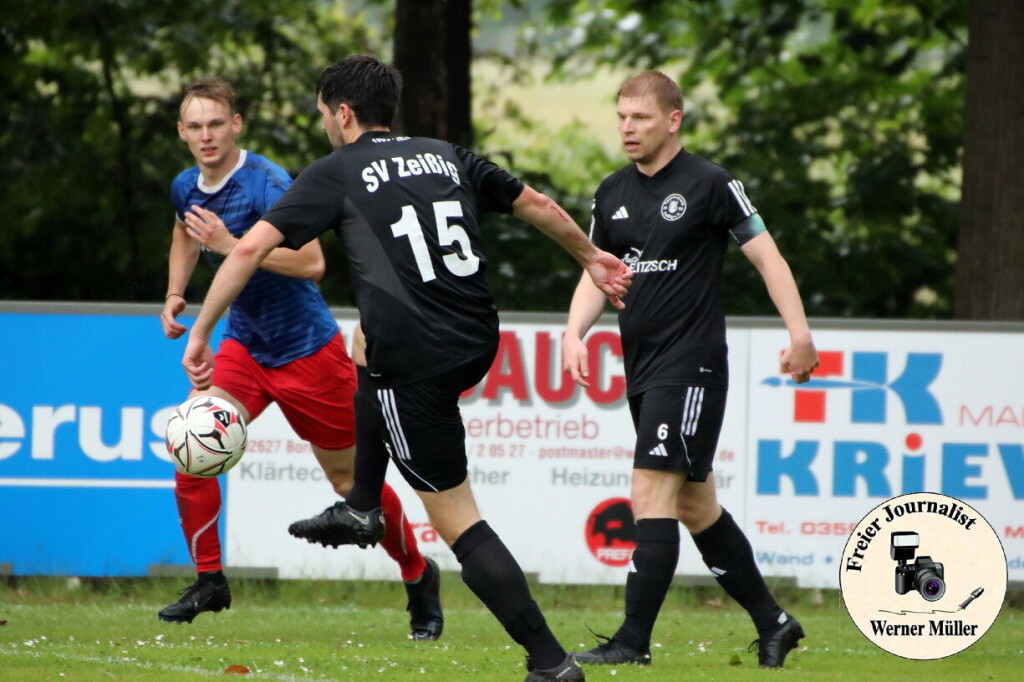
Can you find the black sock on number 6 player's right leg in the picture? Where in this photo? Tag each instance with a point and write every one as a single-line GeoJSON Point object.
{"type": "Point", "coordinates": [728, 552]}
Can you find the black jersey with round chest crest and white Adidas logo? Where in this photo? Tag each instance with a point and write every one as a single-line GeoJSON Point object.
{"type": "Point", "coordinates": [672, 229]}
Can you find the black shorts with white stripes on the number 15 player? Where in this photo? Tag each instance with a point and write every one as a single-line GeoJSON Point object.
{"type": "Point", "coordinates": [423, 425]}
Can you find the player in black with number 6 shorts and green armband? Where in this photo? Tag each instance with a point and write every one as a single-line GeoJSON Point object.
{"type": "Point", "coordinates": [670, 216]}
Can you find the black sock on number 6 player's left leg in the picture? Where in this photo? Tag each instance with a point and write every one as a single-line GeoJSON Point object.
{"type": "Point", "coordinates": [655, 563]}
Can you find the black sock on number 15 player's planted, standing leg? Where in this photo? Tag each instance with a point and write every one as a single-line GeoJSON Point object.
{"type": "Point", "coordinates": [495, 577]}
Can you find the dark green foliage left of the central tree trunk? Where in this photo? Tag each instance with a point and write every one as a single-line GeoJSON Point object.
{"type": "Point", "coordinates": [88, 113]}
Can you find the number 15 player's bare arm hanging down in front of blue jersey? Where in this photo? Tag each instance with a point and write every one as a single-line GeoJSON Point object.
{"type": "Point", "coordinates": [232, 278]}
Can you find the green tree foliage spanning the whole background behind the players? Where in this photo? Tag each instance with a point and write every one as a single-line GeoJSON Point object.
{"type": "Point", "coordinates": [844, 121]}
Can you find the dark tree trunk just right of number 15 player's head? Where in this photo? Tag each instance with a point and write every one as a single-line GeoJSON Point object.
{"type": "Point", "coordinates": [433, 51]}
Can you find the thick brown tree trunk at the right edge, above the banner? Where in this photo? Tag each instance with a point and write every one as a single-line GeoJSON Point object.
{"type": "Point", "coordinates": [991, 254]}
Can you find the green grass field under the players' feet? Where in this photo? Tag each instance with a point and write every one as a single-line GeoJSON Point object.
{"type": "Point", "coordinates": [108, 630]}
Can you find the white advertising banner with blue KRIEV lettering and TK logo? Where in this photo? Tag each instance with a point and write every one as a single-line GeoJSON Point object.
{"type": "Point", "coordinates": [888, 413]}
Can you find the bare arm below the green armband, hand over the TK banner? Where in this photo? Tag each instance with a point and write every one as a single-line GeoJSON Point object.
{"type": "Point", "coordinates": [801, 358]}
